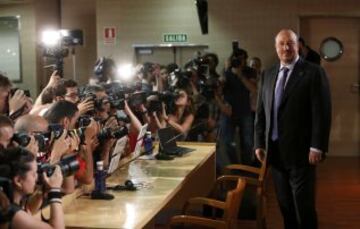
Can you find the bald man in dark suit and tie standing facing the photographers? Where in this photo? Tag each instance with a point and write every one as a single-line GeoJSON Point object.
{"type": "Point", "coordinates": [292, 126]}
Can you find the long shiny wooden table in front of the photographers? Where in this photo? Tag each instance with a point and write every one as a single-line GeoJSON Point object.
{"type": "Point", "coordinates": [164, 185]}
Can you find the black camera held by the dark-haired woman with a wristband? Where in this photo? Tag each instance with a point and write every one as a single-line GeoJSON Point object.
{"type": "Point", "coordinates": [68, 165]}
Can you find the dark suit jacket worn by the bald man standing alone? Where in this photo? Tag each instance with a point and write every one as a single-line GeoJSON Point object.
{"type": "Point", "coordinates": [304, 115]}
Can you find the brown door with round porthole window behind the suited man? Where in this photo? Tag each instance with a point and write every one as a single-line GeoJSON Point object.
{"type": "Point", "coordinates": [343, 76]}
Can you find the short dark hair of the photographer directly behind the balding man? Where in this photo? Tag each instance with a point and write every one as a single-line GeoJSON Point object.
{"type": "Point", "coordinates": [60, 110]}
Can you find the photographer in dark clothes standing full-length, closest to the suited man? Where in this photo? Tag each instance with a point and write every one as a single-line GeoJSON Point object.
{"type": "Point", "coordinates": [240, 82]}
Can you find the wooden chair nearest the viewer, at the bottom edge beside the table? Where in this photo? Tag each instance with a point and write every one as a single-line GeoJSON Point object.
{"type": "Point", "coordinates": [230, 208]}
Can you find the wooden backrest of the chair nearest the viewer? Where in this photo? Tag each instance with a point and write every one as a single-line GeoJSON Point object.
{"type": "Point", "coordinates": [233, 201]}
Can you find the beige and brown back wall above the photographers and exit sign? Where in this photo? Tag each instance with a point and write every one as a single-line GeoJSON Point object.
{"type": "Point", "coordinates": [253, 23]}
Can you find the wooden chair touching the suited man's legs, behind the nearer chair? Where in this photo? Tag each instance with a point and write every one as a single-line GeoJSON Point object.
{"type": "Point", "coordinates": [258, 180]}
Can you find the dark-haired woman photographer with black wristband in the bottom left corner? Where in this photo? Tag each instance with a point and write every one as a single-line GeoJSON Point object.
{"type": "Point", "coordinates": [19, 166]}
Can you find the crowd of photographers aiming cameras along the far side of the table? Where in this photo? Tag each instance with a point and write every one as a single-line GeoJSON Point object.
{"type": "Point", "coordinates": [49, 146]}
